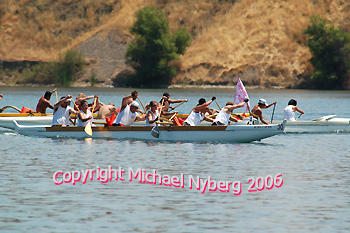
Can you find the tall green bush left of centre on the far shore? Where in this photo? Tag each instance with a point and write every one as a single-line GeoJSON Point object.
{"type": "Point", "coordinates": [153, 49]}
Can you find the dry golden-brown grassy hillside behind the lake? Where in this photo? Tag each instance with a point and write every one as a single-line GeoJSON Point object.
{"type": "Point", "coordinates": [259, 41]}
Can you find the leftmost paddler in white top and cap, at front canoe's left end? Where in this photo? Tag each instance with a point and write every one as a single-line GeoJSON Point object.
{"type": "Point", "coordinates": [62, 111]}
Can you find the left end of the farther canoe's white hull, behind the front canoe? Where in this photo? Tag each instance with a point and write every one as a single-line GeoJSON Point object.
{"type": "Point", "coordinates": [7, 122]}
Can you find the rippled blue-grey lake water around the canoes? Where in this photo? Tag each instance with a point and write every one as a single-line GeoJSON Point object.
{"type": "Point", "coordinates": [315, 168]}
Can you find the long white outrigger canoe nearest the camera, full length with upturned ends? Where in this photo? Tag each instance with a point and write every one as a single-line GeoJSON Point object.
{"type": "Point", "coordinates": [227, 134]}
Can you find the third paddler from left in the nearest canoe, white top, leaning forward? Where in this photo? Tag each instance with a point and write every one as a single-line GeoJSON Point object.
{"type": "Point", "coordinates": [128, 114]}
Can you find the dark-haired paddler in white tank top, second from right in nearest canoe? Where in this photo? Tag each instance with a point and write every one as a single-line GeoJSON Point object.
{"type": "Point", "coordinates": [197, 114]}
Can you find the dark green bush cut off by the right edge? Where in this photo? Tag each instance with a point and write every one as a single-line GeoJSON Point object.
{"type": "Point", "coordinates": [330, 48]}
